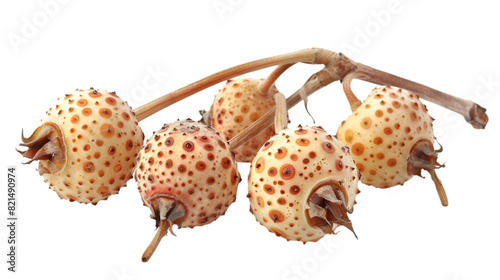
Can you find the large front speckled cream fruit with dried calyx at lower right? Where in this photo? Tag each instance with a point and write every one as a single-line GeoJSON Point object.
{"type": "Point", "coordinates": [302, 184]}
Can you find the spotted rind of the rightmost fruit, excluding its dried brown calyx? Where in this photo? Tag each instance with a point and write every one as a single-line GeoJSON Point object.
{"type": "Point", "coordinates": [382, 132]}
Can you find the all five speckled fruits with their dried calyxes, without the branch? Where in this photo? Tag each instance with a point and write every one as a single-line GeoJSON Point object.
{"type": "Point", "coordinates": [303, 181]}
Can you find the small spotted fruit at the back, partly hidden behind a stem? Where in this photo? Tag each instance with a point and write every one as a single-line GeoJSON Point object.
{"type": "Point", "coordinates": [237, 105]}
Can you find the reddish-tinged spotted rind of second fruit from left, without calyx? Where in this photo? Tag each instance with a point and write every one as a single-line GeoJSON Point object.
{"type": "Point", "coordinates": [189, 163]}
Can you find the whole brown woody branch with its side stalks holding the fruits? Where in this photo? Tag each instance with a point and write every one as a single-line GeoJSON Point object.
{"type": "Point", "coordinates": [337, 67]}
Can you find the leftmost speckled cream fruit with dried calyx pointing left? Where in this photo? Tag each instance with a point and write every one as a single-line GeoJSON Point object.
{"type": "Point", "coordinates": [86, 146]}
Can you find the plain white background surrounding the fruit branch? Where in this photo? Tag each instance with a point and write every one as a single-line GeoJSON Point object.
{"type": "Point", "coordinates": [404, 232]}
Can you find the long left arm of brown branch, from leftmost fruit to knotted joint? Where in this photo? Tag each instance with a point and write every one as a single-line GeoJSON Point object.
{"type": "Point", "coordinates": [311, 56]}
